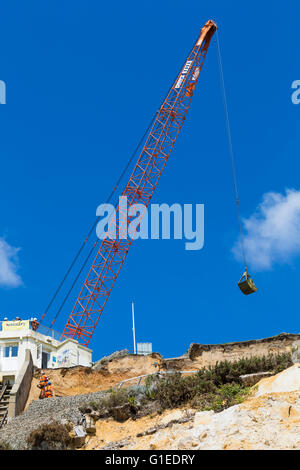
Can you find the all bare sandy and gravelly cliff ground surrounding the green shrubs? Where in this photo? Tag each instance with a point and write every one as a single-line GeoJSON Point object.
{"type": "Point", "coordinates": [270, 418]}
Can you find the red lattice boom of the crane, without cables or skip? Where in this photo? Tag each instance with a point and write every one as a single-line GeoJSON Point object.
{"type": "Point", "coordinates": [139, 189]}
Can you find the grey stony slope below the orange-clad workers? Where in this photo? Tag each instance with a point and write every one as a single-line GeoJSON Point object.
{"type": "Point", "coordinates": [16, 431]}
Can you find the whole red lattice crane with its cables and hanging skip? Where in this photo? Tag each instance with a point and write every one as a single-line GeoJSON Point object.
{"type": "Point", "coordinates": [157, 144]}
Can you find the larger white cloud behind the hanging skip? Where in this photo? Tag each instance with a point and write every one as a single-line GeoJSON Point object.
{"type": "Point", "coordinates": [272, 233]}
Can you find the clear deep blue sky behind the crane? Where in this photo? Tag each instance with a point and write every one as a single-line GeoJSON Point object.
{"type": "Point", "coordinates": [83, 80]}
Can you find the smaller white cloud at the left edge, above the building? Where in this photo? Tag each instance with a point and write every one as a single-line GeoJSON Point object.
{"type": "Point", "coordinates": [9, 265]}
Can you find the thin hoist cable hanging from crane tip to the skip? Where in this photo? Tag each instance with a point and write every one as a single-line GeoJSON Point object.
{"type": "Point", "coordinates": [231, 149]}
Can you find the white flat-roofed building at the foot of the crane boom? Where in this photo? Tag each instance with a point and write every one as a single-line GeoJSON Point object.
{"type": "Point", "coordinates": [47, 351]}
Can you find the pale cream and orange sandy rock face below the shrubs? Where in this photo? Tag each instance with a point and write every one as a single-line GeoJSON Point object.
{"type": "Point", "coordinates": [269, 419]}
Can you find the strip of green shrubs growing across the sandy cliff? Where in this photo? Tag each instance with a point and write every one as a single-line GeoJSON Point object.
{"type": "Point", "coordinates": [216, 387]}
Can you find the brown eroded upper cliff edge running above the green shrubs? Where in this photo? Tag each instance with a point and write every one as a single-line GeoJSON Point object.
{"type": "Point", "coordinates": [78, 380]}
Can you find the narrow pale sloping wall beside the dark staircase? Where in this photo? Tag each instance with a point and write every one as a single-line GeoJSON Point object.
{"type": "Point", "coordinates": [20, 391]}
